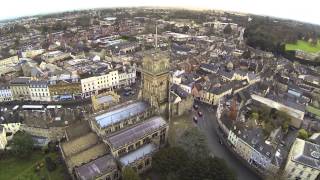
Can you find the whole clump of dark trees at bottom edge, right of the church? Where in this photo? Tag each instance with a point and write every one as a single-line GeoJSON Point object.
{"type": "Point", "coordinates": [174, 163]}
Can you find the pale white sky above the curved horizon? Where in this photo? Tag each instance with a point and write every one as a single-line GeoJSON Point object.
{"type": "Point", "coordinates": [301, 10]}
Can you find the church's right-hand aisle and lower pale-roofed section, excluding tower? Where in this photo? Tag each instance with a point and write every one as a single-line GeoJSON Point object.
{"type": "Point", "coordinates": [134, 147]}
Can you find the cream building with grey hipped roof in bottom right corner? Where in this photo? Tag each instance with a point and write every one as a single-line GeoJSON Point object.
{"type": "Point", "coordinates": [303, 160]}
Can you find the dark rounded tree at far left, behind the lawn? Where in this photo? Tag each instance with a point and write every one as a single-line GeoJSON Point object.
{"type": "Point", "coordinates": [22, 144]}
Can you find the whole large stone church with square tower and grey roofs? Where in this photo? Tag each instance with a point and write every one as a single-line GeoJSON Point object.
{"type": "Point", "coordinates": [125, 134]}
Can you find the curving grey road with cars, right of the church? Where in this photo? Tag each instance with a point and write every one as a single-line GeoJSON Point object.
{"type": "Point", "coordinates": [208, 125]}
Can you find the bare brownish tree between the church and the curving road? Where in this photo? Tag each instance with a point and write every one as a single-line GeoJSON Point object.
{"type": "Point", "coordinates": [194, 143]}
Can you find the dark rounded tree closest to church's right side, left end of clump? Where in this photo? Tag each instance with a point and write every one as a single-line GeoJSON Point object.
{"type": "Point", "coordinates": [169, 160]}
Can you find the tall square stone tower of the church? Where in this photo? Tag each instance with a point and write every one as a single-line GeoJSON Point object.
{"type": "Point", "coordinates": [155, 80]}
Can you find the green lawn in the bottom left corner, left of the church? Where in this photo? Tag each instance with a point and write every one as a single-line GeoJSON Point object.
{"type": "Point", "coordinates": [18, 169]}
